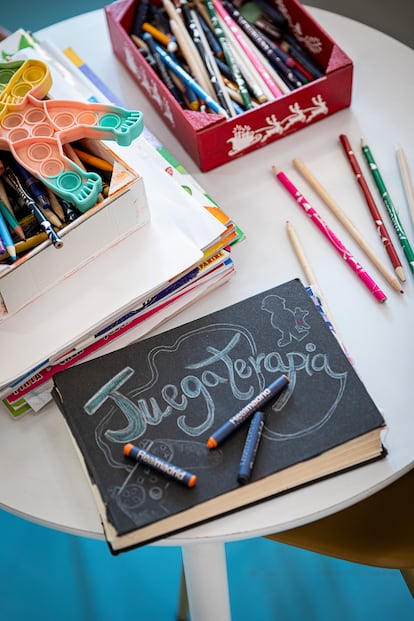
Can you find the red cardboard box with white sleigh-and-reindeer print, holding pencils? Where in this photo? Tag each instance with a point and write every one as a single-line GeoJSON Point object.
{"type": "Point", "coordinates": [212, 140]}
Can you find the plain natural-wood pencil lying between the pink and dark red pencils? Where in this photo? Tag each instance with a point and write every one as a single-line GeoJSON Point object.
{"type": "Point", "coordinates": [348, 225]}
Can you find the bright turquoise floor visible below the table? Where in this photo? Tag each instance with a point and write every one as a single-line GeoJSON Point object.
{"type": "Point", "coordinates": [46, 575]}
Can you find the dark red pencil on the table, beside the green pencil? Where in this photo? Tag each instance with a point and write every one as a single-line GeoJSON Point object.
{"type": "Point", "coordinates": [372, 206]}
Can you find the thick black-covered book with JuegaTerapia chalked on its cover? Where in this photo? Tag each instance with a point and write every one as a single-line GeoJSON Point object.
{"type": "Point", "coordinates": [169, 392]}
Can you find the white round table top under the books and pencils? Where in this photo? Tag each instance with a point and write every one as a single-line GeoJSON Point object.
{"type": "Point", "coordinates": [42, 479]}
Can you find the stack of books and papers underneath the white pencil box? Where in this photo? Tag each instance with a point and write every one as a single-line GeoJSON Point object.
{"type": "Point", "coordinates": [124, 293]}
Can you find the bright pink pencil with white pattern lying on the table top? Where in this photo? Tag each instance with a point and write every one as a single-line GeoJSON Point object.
{"type": "Point", "coordinates": [330, 236]}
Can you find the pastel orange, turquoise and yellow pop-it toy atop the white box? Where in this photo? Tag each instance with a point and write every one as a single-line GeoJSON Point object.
{"type": "Point", "coordinates": [34, 130]}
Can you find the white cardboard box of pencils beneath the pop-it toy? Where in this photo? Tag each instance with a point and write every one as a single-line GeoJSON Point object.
{"type": "Point", "coordinates": [124, 210]}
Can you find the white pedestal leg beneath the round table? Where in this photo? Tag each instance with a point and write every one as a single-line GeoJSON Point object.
{"type": "Point", "coordinates": [205, 571]}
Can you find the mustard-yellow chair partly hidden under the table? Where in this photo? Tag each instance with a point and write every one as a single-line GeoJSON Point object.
{"type": "Point", "coordinates": [377, 531]}
